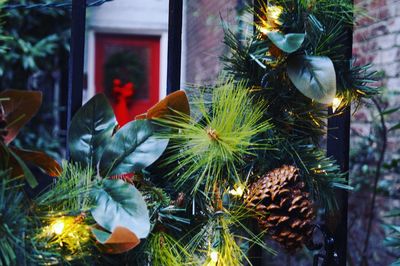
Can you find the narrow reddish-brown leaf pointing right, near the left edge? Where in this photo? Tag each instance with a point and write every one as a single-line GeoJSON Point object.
{"type": "Point", "coordinates": [41, 160]}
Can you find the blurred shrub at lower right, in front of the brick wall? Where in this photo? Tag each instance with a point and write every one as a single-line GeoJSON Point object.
{"type": "Point", "coordinates": [375, 176]}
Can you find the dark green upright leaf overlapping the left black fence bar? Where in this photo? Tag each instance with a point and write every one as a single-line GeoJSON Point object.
{"type": "Point", "coordinates": [91, 127]}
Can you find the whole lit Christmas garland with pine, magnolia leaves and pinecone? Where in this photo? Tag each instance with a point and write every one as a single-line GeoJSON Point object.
{"type": "Point", "coordinates": [176, 188]}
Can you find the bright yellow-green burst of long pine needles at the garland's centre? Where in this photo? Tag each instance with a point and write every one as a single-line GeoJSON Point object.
{"type": "Point", "coordinates": [210, 152]}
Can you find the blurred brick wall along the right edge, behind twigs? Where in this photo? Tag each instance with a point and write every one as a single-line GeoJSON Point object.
{"type": "Point", "coordinates": [377, 41]}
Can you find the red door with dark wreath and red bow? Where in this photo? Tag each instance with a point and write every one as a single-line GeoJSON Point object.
{"type": "Point", "coordinates": [127, 70]}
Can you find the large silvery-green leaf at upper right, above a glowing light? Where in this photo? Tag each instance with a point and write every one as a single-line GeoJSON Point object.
{"type": "Point", "coordinates": [314, 76]}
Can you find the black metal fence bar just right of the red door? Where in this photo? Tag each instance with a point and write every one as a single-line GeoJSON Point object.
{"type": "Point", "coordinates": [174, 45]}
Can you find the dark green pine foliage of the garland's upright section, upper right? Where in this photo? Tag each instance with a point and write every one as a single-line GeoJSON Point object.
{"type": "Point", "coordinates": [299, 122]}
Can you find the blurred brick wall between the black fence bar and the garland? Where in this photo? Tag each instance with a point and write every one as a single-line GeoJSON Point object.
{"type": "Point", "coordinates": [204, 38]}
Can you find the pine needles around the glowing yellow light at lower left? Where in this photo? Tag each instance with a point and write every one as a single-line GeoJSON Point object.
{"type": "Point", "coordinates": [65, 206]}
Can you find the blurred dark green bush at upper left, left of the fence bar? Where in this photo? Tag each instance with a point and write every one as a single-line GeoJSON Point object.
{"type": "Point", "coordinates": [36, 58]}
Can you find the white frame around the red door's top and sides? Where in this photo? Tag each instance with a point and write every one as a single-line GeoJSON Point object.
{"type": "Point", "coordinates": [91, 52]}
